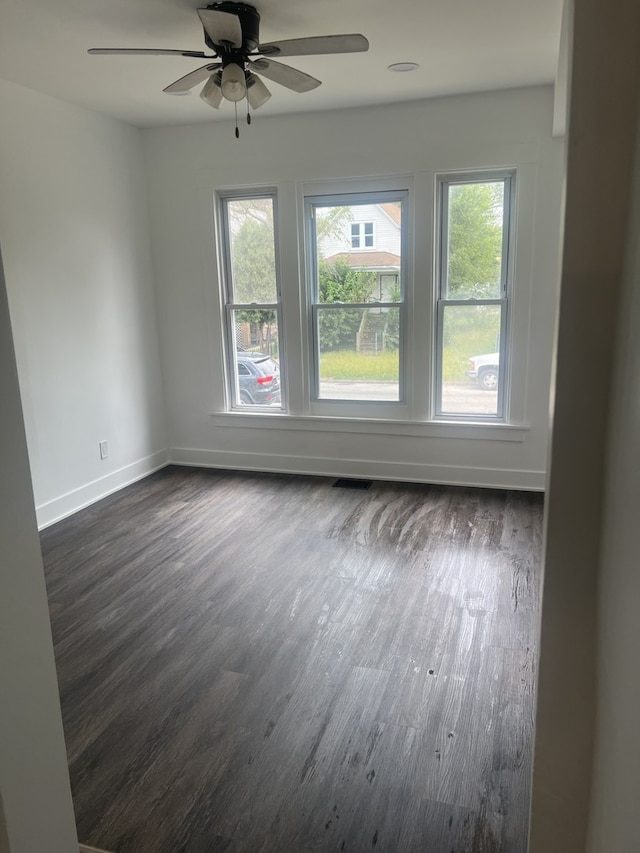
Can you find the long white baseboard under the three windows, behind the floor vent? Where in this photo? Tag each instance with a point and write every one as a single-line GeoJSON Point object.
{"type": "Point", "coordinates": [373, 469]}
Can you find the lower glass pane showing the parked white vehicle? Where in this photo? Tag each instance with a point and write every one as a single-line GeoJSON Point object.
{"type": "Point", "coordinates": [470, 363]}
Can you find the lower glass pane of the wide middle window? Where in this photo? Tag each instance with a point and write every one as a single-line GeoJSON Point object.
{"type": "Point", "coordinates": [359, 353]}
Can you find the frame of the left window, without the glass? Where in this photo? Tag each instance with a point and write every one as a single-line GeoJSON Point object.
{"type": "Point", "coordinates": [223, 198]}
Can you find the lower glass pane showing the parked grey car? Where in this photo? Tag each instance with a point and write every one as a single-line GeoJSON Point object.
{"type": "Point", "coordinates": [256, 372]}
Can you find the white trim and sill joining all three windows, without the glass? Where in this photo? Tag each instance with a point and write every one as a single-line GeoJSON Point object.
{"type": "Point", "coordinates": [417, 412]}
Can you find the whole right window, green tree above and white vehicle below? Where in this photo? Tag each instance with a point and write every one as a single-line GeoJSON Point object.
{"type": "Point", "coordinates": [472, 290]}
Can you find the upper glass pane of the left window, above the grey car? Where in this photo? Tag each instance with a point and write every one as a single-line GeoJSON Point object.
{"type": "Point", "coordinates": [252, 250]}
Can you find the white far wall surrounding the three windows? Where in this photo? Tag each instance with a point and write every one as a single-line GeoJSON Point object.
{"type": "Point", "coordinates": [186, 164]}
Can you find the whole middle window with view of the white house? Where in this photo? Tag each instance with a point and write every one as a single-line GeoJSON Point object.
{"type": "Point", "coordinates": [357, 313]}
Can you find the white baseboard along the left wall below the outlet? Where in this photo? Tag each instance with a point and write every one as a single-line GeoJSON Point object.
{"type": "Point", "coordinates": [77, 499]}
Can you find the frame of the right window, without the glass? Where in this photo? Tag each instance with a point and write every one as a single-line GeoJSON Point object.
{"type": "Point", "coordinates": [442, 300]}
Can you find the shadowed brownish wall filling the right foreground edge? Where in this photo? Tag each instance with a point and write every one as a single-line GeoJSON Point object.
{"type": "Point", "coordinates": [588, 691]}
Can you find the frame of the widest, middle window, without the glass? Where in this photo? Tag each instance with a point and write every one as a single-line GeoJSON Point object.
{"type": "Point", "coordinates": [372, 193]}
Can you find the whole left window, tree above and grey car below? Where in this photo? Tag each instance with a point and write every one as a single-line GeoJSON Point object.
{"type": "Point", "coordinates": [252, 301]}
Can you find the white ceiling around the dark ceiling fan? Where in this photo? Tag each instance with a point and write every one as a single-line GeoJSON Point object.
{"type": "Point", "coordinates": [460, 45]}
